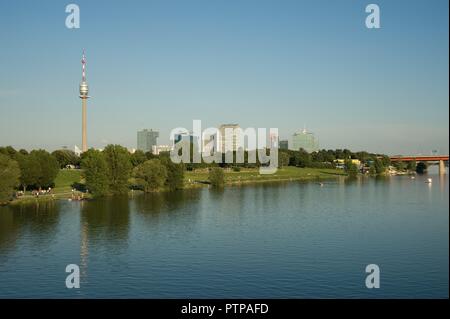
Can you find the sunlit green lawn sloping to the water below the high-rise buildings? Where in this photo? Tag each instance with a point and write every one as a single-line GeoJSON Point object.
{"type": "Point", "coordinates": [252, 175]}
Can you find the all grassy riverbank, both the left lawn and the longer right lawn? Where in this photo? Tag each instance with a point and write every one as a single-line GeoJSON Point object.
{"type": "Point", "coordinates": [67, 178]}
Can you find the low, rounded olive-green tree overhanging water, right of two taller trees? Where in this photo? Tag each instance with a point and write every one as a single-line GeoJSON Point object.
{"type": "Point", "coordinates": [151, 175]}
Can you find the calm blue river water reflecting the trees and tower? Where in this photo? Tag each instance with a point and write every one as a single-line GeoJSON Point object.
{"type": "Point", "coordinates": [288, 240]}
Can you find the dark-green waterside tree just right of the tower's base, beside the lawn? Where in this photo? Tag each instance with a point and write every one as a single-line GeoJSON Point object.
{"type": "Point", "coordinates": [95, 172]}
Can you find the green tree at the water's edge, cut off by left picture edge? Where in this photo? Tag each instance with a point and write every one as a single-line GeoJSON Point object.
{"type": "Point", "coordinates": [9, 177]}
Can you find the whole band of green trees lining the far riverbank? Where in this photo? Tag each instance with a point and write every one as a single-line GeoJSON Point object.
{"type": "Point", "coordinates": [110, 171]}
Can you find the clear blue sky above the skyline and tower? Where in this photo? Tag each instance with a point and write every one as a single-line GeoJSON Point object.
{"type": "Point", "coordinates": [286, 64]}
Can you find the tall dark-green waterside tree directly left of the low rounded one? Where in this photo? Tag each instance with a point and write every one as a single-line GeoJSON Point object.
{"type": "Point", "coordinates": [119, 168]}
